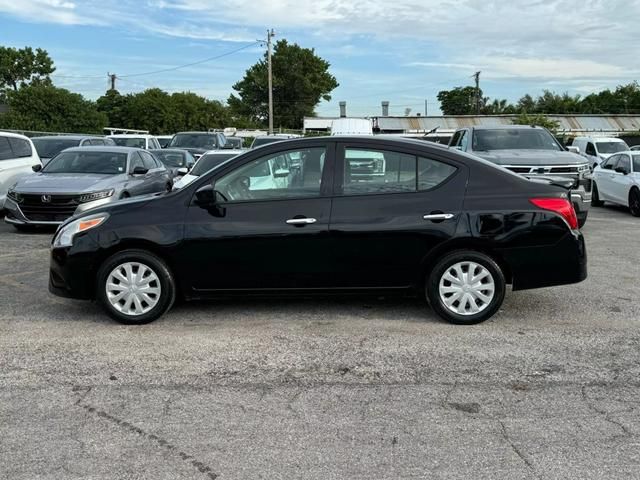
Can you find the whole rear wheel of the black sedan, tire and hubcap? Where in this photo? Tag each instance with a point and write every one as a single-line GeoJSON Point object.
{"type": "Point", "coordinates": [465, 287]}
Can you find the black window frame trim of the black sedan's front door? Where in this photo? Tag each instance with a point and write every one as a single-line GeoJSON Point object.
{"type": "Point", "coordinates": [326, 182]}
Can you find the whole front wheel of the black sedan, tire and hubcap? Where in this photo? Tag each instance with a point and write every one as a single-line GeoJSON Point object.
{"type": "Point", "coordinates": [135, 287]}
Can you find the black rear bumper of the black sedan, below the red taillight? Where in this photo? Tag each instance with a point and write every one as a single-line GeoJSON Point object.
{"type": "Point", "coordinates": [546, 266]}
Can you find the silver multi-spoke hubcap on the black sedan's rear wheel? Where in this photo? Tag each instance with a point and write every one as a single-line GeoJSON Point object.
{"type": "Point", "coordinates": [466, 288]}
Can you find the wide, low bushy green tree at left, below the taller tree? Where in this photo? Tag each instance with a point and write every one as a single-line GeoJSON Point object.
{"type": "Point", "coordinates": [47, 108]}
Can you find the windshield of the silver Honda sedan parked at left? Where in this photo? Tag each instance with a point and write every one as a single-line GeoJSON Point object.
{"type": "Point", "coordinates": [104, 163]}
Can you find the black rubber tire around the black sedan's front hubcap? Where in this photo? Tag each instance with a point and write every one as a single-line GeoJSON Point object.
{"type": "Point", "coordinates": [158, 266]}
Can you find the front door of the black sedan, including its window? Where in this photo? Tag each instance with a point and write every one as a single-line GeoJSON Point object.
{"type": "Point", "coordinates": [269, 228]}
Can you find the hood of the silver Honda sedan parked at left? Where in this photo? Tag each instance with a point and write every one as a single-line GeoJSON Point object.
{"type": "Point", "coordinates": [66, 183]}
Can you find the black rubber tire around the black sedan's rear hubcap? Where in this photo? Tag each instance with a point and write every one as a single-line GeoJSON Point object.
{"type": "Point", "coordinates": [446, 263]}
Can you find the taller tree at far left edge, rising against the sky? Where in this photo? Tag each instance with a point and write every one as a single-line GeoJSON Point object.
{"type": "Point", "coordinates": [23, 66]}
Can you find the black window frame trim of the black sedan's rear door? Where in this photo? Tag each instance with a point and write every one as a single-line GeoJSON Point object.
{"type": "Point", "coordinates": [338, 180]}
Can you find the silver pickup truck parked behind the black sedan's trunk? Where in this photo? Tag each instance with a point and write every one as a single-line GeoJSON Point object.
{"type": "Point", "coordinates": [532, 152]}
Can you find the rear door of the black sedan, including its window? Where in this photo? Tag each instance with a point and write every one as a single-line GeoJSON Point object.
{"type": "Point", "coordinates": [383, 226]}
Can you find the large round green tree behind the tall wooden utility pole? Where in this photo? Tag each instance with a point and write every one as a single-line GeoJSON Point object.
{"type": "Point", "coordinates": [300, 80]}
